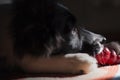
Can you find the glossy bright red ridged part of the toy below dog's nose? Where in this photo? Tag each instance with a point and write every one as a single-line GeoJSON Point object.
{"type": "Point", "coordinates": [107, 57]}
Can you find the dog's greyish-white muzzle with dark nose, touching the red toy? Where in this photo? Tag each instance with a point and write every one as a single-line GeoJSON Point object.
{"type": "Point", "coordinates": [92, 43]}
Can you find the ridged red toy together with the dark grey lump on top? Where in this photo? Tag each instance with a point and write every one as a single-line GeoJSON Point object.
{"type": "Point", "coordinates": [110, 54]}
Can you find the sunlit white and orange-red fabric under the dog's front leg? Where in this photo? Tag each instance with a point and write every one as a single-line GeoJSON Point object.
{"type": "Point", "coordinates": [102, 73]}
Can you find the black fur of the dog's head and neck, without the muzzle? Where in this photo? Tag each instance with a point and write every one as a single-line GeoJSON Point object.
{"type": "Point", "coordinates": [40, 25]}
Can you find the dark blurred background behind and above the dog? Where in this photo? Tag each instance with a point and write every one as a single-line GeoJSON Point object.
{"type": "Point", "coordinates": [100, 16]}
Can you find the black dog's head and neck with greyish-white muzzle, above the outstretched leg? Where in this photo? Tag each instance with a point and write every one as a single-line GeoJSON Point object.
{"type": "Point", "coordinates": [45, 27]}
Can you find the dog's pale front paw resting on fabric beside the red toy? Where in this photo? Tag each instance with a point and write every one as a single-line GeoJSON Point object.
{"type": "Point", "coordinates": [82, 62]}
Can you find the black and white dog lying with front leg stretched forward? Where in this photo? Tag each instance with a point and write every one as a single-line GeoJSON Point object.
{"type": "Point", "coordinates": [46, 39]}
